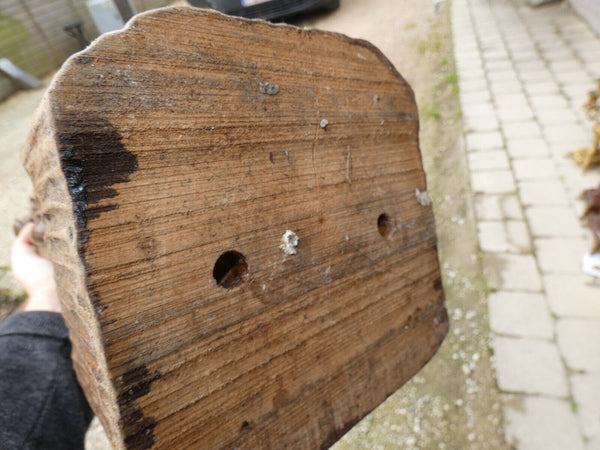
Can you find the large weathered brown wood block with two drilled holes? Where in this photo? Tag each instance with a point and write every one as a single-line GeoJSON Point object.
{"type": "Point", "coordinates": [189, 135]}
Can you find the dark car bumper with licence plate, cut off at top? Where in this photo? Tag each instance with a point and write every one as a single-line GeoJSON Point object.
{"type": "Point", "coordinates": [267, 9]}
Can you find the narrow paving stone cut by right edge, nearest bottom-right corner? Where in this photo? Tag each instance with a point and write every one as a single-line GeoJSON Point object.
{"type": "Point", "coordinates": [586, 394]}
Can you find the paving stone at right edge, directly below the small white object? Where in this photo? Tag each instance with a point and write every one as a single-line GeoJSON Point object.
{"type": "Point", "coordinates": [573, 295]}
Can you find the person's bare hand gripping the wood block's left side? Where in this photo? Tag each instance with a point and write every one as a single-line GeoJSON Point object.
{"type": "Point", "coordinates": [35, 273]}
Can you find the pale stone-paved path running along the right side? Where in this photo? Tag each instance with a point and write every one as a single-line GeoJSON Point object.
{"type": "Point", "coordinates": [524, 74]}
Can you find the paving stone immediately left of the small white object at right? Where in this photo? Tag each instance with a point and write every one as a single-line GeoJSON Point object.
{"type": "Point", "coordinates": [560, 255]}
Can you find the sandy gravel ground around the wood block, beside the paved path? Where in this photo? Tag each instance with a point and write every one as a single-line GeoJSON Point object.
{"type": "Point", "coordinates": [453, 402]}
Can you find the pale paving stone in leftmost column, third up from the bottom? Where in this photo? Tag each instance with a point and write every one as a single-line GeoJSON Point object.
{"type": "Point", "coordinates": [520, 314]}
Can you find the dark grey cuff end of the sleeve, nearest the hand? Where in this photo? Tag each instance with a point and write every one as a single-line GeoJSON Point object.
{"type": "Point", "coordinates": [35, 323]}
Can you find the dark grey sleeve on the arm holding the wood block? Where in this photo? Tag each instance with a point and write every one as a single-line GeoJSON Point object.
{"type": "Point", "coordinates": [42, 405]}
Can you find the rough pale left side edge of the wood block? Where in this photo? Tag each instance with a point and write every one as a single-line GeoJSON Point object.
{"type": "Point", "coordinates": [52, 204]}
